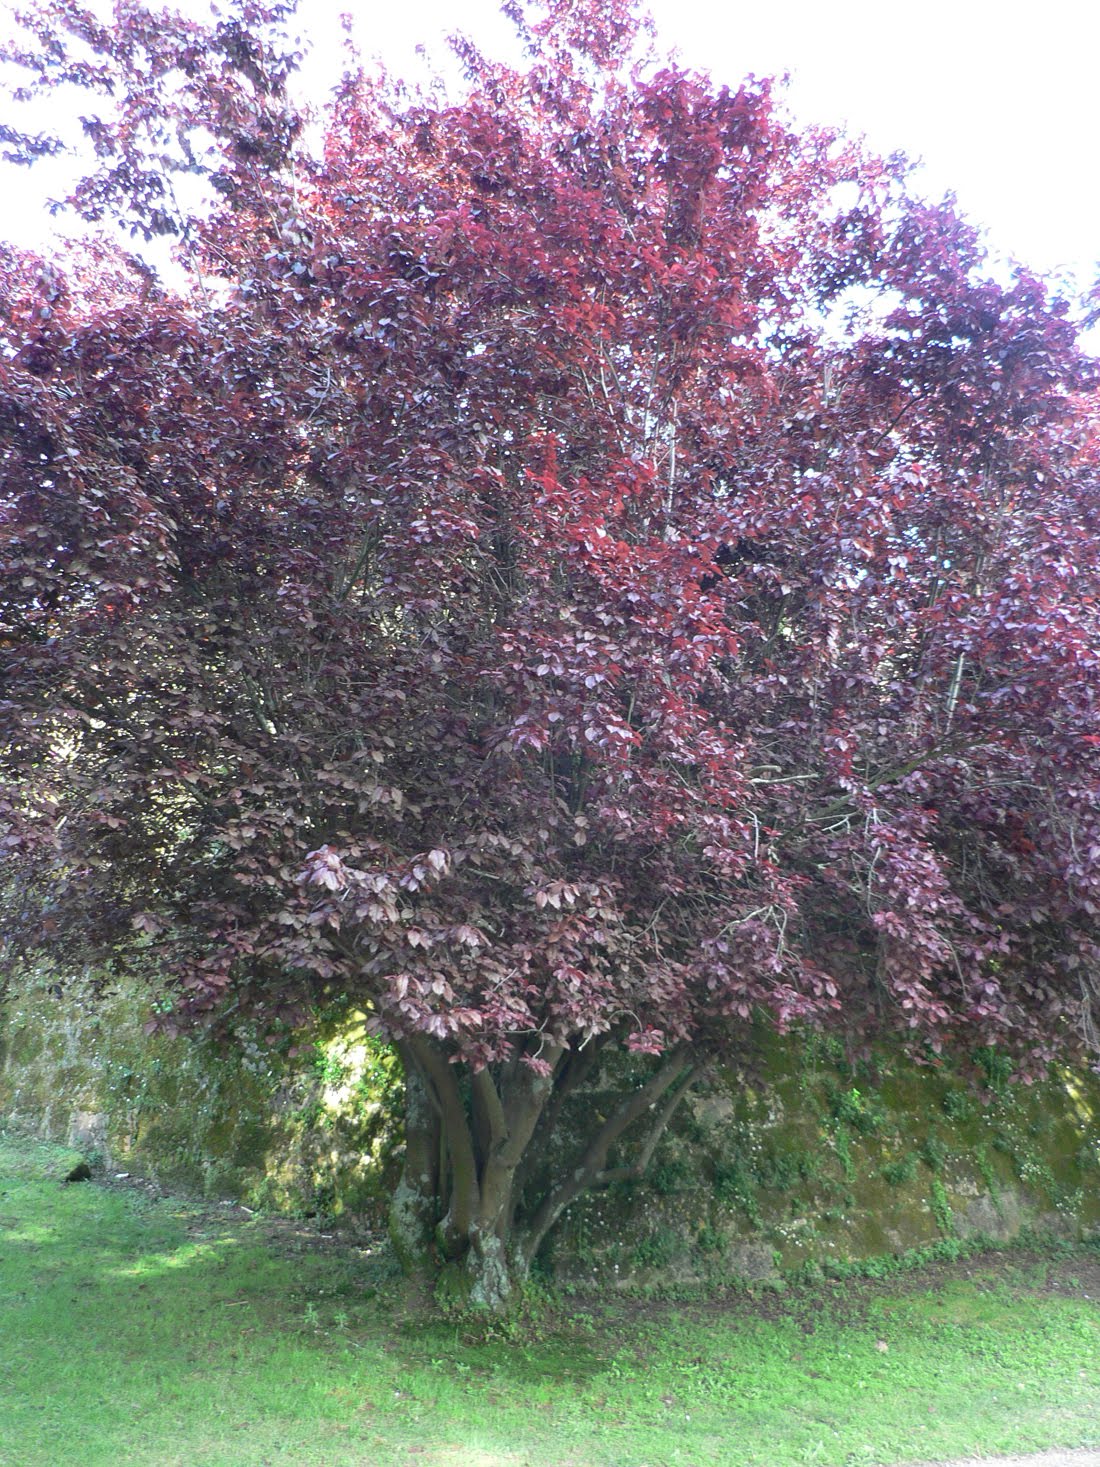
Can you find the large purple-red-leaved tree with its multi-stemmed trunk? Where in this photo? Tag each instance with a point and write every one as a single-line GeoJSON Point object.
{"type": "Point", "coordinates": [571, 570]}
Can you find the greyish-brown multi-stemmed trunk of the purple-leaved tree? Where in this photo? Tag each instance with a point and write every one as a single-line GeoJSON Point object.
{"type": "Point", "coordinates": [473, 1152]}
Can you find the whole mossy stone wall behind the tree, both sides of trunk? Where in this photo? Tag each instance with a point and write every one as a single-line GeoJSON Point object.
{"type": "Point", "coordinates": [802, 1163]}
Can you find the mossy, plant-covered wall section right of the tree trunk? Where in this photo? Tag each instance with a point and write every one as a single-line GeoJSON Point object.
{"type": "Point", "coordinates": [810, 1164]}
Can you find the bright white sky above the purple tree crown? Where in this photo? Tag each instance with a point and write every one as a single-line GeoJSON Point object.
{"type": "Point", "coordinates": [1001, 102]}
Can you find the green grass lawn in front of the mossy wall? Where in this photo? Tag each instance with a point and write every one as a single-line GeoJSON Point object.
{"type": "Point", "coordinates": [152, 1331]}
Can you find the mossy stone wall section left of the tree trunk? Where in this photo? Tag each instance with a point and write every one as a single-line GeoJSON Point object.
{"type": "Point", "coordinates": [235, 1120]}
